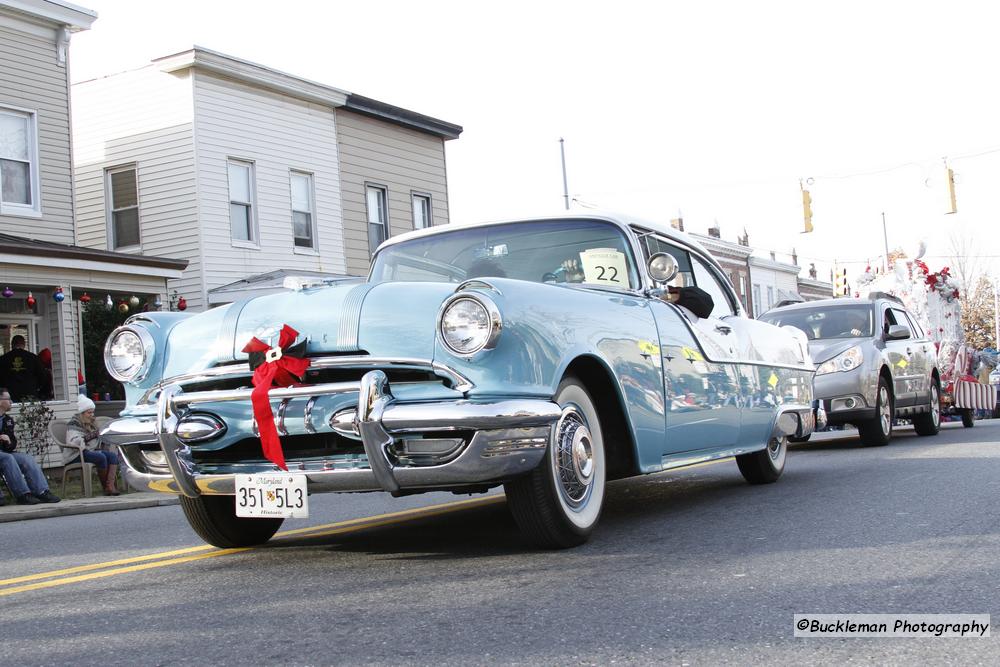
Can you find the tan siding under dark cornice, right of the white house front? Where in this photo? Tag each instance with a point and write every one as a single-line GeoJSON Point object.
{"type": "Point", "coordinates": [403, 161]}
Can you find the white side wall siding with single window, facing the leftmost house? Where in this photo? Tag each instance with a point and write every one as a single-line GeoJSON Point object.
{"type": "Point", "coordinates": [143, 117]}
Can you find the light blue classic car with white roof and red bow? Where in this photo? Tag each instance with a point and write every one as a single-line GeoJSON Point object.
{"type": "Point", "coordinates": [544, 355]}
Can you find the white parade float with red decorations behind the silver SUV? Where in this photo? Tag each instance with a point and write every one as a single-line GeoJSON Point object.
{"type": "Point", "coordinates": [935, 297]}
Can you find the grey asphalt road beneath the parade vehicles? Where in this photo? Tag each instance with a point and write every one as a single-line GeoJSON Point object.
{"type": "Point", "coordinates": [688, 567]}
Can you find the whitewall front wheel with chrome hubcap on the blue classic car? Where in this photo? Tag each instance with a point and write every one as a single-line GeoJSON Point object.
{"type": "Point", "coordinates": [558, 504]}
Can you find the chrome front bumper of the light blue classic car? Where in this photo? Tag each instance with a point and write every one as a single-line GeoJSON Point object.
{"type": "Point", "coordinates": [509, 438]}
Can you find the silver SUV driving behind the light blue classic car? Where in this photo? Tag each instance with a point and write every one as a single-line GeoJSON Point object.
{"type": "Point", "coordinates": [873, 363]}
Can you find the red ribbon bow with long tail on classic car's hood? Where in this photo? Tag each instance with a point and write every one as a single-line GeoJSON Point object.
{"type": "Point", "coordinates": [280, 366]}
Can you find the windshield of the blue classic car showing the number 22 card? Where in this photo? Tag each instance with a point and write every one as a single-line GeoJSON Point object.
{"type": "Point", "coordinates": [553, 251]}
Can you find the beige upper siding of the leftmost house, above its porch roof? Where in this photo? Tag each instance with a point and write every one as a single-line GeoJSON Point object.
{"type": "Point", "coordinates": [31, 78]}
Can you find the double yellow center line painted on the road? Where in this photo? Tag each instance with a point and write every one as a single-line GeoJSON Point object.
{"type": "Point", "coordinates": [58, 578]}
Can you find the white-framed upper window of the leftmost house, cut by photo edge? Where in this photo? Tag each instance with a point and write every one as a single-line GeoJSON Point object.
{"type": "Point", "coordinates": [18, 163]}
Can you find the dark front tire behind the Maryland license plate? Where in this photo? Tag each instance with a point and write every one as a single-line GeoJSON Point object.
{"type": "Point", "coordinates": [214, 519]}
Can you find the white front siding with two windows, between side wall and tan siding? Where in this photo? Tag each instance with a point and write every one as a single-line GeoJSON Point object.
{"type": "Point", "coordinates": [278, 133]}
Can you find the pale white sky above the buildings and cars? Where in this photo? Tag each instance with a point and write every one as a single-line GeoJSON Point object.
{"type": "Point", "coordinates": [711, 109]}
